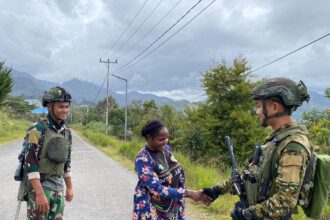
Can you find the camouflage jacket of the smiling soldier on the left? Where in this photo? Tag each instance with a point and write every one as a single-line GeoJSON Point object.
{"type": "Point", "coordinates": [32, 144]}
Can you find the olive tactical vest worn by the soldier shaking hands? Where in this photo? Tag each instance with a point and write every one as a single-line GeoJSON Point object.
{"type": "Point", "coordinates": [259, 183]}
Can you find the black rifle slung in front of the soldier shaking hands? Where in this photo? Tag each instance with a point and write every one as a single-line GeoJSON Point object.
{"type": "Point", "coordinates": [236, 178]}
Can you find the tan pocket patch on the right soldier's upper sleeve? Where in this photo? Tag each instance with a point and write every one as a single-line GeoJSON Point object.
{"type": "Point", "coordinates": [291, 166]}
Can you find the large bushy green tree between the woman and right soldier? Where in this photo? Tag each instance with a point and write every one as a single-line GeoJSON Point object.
{"type": "Point", "coordinates": [227, 111]}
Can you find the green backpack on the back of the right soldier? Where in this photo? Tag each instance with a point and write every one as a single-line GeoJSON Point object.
{"type": "Point", "coordinates": [319, 192]}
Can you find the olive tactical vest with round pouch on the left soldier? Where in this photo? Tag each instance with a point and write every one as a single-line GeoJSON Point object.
{"type": "Point", "coordinates": [54, 152]}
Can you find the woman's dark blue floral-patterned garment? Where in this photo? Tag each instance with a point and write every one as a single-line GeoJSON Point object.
{"type": "Point", "coordinates": [150, 188]}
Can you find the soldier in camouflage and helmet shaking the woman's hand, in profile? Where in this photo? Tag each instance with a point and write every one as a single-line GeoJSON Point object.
{"type": "Point", "coordinates": [273, 186]}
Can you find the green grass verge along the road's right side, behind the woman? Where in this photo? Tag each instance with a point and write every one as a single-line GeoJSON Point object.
{"type": "Point", "coordinates": [197, 176]}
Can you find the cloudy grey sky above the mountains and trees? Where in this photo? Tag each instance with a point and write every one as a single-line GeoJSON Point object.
{"type": "Point", "coordinates": [58, 40]}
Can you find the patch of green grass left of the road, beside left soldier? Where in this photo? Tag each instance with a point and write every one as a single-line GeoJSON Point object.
{"type": "Point", "coordinates": [14, 129]}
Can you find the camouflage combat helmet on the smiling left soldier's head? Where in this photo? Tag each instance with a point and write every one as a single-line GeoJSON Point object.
{"type": "Point", "coordinates": [55, 94]}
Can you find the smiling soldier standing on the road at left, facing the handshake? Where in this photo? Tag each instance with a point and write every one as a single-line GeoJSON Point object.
{"type": "Point", "coordinates": [48, 160]}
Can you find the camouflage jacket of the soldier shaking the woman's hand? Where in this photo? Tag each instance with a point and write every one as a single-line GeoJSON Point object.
{"type": "Point", "coordinates": [290, 165]}
